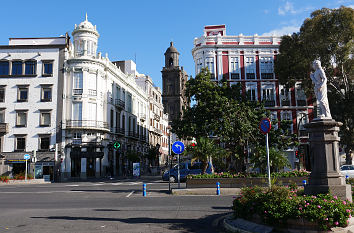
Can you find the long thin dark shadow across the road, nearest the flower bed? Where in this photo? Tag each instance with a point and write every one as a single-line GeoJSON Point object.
{"type": "Point", "coordinates": [202, 225]}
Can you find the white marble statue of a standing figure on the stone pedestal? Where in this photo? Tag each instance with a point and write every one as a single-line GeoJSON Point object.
{"type": "Point", "coordinates": [320, 81]}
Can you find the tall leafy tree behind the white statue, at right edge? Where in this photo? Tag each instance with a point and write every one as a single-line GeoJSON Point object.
{"type": "Point", "coordinates": [327, 35]}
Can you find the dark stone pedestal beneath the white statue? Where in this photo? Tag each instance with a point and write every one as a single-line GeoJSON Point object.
{"type": "Point", "coordinates": [324, 153]}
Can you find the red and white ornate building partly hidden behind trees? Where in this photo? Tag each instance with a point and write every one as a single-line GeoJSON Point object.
{"type": "Point", "coordinates": [250, 60]}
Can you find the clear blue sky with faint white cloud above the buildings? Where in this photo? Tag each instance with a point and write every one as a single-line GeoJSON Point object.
{"type": "Point", "coordinates": [141, 30]}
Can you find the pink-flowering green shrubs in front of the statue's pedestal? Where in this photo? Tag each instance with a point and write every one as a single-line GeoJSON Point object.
{"type": "Point", "coordinates": [276, 205]}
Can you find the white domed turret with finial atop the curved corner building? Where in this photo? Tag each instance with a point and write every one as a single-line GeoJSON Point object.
{"type": "Point", "coordinates": [85, 38]}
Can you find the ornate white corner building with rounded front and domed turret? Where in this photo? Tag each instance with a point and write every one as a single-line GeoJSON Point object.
{"type": "Point", "coordinates": [103, 106]}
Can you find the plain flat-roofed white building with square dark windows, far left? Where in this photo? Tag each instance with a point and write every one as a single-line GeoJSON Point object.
{"type": "Point", "coordinates": [31, 82]}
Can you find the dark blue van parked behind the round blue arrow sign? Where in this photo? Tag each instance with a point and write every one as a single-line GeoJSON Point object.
{"type": "Point", "coordinates": [185, 169]}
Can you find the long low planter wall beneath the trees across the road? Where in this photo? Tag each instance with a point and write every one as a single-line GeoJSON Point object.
{"type": "Point", "coordinates": [240, 182]}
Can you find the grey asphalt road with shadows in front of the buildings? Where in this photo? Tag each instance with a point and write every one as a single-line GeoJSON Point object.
{"type": "Point", "coordinates": [107, 206]}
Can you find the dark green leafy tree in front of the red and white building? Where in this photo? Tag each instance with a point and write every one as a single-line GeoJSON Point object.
{"type": "Point", "coordinates": [224, 112]}
